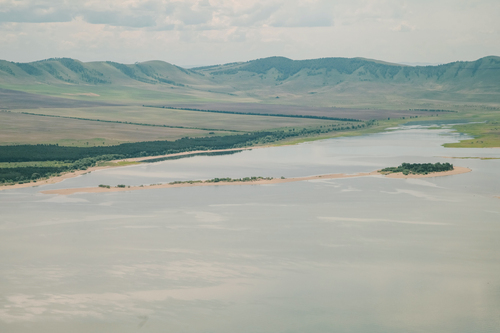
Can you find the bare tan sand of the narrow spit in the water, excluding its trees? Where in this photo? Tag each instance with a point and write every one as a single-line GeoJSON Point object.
{"type": "Point", "coordinates": [69, 191]}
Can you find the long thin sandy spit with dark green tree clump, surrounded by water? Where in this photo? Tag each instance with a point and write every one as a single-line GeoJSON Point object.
{"type": "Point", "coordinates": [406, 170]}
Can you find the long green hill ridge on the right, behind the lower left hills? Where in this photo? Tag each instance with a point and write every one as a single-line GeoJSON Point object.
{"type": "Point", "coordinates": [340, 79]}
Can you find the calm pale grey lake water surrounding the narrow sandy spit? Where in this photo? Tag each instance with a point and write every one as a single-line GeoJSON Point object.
{"type": "Point", "coordinates": [347, 255]}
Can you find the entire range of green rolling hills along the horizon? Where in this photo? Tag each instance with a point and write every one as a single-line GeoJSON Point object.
{"type": "Point", "coordinates": [276, 80]}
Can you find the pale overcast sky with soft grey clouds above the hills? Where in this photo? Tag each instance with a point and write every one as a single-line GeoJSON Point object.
{"type": "Point", "coordinates": [203, 32]}
